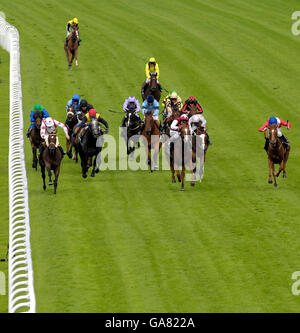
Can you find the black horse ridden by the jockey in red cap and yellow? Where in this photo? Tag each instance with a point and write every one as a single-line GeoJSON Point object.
{"type": "Point", "coordinates": [90, 146]}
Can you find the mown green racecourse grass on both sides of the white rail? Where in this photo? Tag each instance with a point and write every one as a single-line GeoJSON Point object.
{"type": "Point", "coordinates": [130, 241]}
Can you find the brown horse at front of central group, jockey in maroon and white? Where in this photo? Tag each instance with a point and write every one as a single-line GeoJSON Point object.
{"type": "Point", "coordinates": [181, 156]}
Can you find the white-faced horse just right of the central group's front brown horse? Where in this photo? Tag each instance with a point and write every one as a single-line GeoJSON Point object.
{"type": "Point", "coordinates": [199, 148]}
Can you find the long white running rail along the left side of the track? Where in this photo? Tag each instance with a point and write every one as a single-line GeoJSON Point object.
{"type": "Point", "coordinates": [21, 297]}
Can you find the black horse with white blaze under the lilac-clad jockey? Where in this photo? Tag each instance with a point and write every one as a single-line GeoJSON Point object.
{"type": "Point", "coordinates": [133, 126]}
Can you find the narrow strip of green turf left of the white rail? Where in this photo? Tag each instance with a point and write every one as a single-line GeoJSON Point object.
{"type": "Point", "coordinates": [4, 128]}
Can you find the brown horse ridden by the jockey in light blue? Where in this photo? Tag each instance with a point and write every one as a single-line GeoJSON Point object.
{"type": "Point", "coordinates": [151, 130]}
